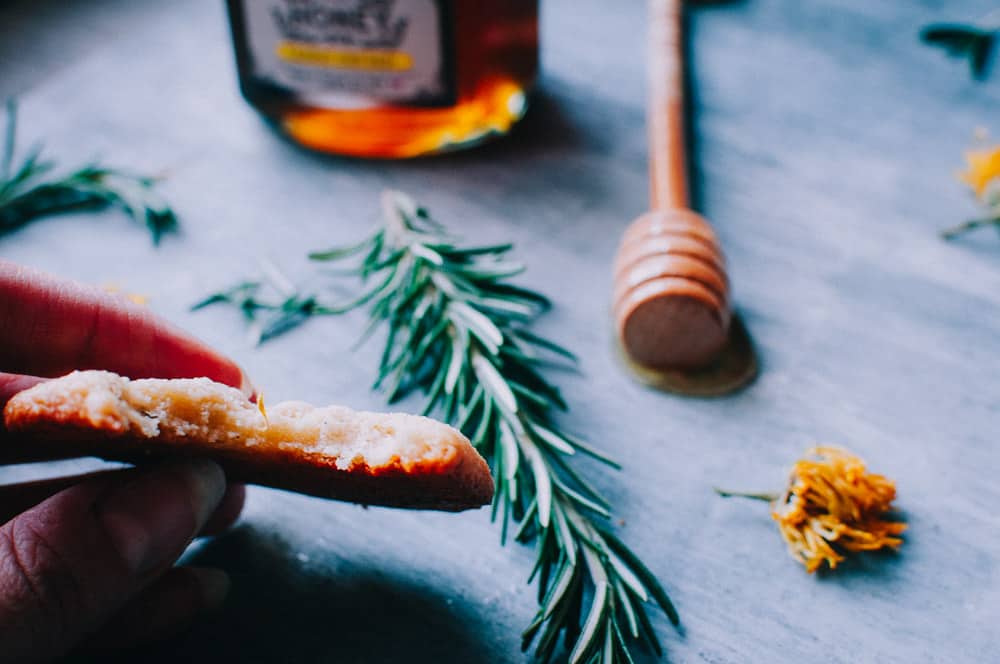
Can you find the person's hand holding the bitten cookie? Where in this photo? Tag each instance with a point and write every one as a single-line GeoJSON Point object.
{"type": "Point", "coordinates": [87, 561]}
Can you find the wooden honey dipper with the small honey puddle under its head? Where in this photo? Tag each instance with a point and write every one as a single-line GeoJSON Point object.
{"type": "Point", "coordinates": [672, 305]}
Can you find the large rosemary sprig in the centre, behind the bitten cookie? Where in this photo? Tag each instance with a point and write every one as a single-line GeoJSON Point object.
{"type": "Point", "coordinates": [458, 332]}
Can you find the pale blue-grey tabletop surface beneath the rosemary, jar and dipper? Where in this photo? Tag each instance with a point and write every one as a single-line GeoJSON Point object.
{"type": "Point", "coordinates": [827, 142]}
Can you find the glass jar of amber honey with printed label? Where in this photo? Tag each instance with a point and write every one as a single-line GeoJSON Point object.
{"type": "Point", "coordinates": [387, 78]}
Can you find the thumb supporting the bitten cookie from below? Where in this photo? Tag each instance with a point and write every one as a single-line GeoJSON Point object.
{"type": "Point", "coordinates": [70, 564]}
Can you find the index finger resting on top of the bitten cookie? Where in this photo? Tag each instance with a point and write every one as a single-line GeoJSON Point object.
{"type": "Point", "coordinates": [49, 327]}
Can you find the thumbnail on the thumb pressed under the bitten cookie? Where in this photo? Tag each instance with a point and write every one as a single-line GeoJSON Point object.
{"type": "Point", "coordinates": [152, 517]}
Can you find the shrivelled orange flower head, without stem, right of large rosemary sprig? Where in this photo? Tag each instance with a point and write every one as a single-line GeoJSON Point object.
{"type": "Point", "coordinates": [833, 505]}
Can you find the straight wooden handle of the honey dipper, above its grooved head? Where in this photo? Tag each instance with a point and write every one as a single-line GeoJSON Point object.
{"type": "Point", "coordinates": [667, 145]}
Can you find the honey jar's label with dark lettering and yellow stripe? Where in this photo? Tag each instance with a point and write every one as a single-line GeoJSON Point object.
{"type": "Point", "coordinates": [354, 53]}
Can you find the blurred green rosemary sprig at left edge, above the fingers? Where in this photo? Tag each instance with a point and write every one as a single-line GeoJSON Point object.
{"type": "Point", "coordinates": [29, 190]}
